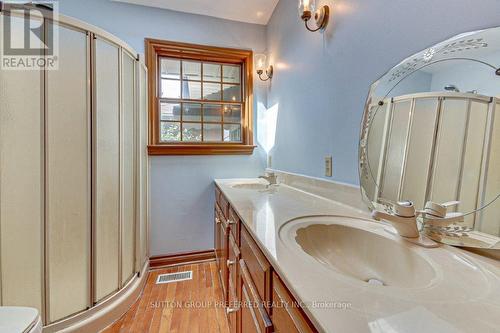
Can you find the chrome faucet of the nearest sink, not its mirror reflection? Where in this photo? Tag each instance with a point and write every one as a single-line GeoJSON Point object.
{"type": "Point", "coordinates": [404, 219]}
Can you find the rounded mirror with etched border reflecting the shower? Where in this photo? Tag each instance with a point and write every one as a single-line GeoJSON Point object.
{"type": "Point", "coordinates": [431, 132]}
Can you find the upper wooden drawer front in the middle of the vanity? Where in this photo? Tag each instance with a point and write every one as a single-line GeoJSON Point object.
{"type": "Point", "coordinates": [258, 267]}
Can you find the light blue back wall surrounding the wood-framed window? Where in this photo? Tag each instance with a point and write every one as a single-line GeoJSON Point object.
{"type": "Point", "coordinates": [182, 193]}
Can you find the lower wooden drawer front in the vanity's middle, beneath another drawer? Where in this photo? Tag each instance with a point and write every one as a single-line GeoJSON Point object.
{"type": "Point", "coordinates": [253, 315]}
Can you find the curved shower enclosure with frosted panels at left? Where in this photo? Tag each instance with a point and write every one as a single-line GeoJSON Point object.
{"type": "Point", "coordinates": [73, 178]}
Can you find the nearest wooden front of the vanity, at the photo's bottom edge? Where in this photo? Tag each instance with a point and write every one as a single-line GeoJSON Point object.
{"type": "Point", "coordinates": [287, 316]}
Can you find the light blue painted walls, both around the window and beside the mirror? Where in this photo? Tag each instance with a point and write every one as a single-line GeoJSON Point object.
{"type": "Point", "coordinates": [320, 85]}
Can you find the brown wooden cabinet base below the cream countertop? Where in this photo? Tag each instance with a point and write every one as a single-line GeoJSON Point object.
{"type": "Point", "coordinates": [251, 288]}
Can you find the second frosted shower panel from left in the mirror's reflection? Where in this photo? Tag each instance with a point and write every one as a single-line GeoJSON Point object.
{"type": "Point", "coordinates": [396, 150]}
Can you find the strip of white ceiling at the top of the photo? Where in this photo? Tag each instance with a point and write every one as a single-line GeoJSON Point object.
{"type": "Point", "coordinates": [251, 11]}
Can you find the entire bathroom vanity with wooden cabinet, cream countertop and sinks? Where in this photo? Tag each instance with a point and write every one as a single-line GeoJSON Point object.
{"type": "Point", "coordinates": [313, 245]}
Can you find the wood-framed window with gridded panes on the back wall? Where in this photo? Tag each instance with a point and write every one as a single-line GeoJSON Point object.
{"type": "Point", "coordinates": [201, 99]}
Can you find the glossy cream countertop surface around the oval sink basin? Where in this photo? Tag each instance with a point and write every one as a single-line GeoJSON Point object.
{"type": "Point", "coordinates": [464, 296]}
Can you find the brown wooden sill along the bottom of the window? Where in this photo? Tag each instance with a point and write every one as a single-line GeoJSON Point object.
{"type": "Point", "coordinates": [200, 149]}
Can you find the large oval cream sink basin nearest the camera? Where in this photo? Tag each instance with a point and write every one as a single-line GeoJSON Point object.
{"type": "Point", "coordinates": [346, 247]}
